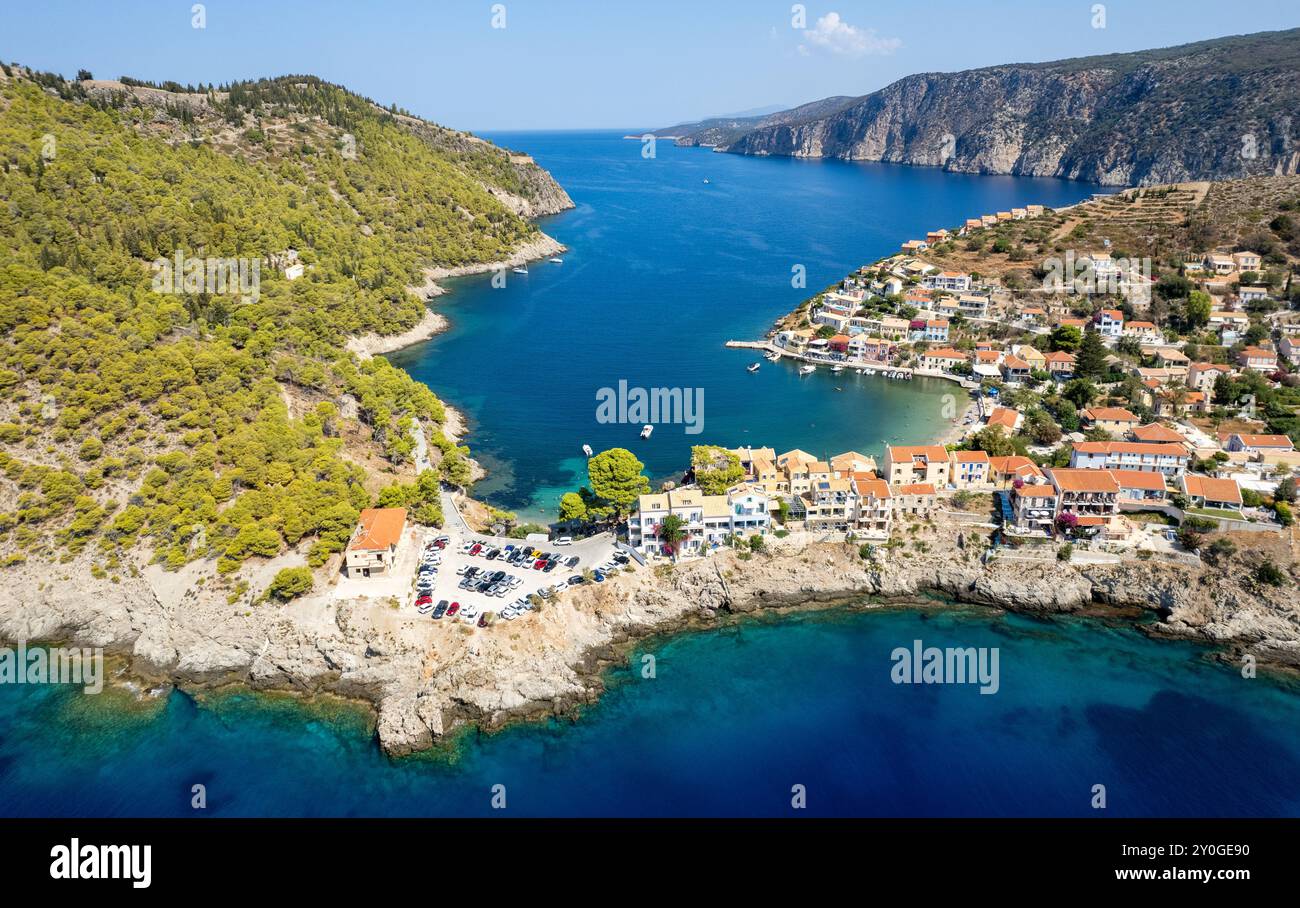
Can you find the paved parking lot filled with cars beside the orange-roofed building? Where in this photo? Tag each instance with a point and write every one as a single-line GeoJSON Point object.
{"type": "Point", "coordinates": [504, 576]}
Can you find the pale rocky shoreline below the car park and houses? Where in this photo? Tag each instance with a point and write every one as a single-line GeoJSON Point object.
{"type": "Point", "coordinates": [426, 680]}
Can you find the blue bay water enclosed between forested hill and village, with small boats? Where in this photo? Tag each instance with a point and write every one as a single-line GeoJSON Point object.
{"type": "Point", "coordinates": [662, 271]}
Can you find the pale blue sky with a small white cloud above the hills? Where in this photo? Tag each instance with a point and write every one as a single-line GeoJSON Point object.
{"type": "Point", "coordinates": [569, 64]}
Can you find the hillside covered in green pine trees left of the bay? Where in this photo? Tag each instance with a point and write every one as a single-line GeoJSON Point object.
{"type": "Point", "coordinates": [200, 423]}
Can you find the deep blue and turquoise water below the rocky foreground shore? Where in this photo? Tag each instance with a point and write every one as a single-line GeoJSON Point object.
{"type": "Point", "coordinates": [731, 723]}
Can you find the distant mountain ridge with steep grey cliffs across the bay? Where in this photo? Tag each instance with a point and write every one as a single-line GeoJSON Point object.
{"type": "Point", "coordinates": [1214, 110]}
